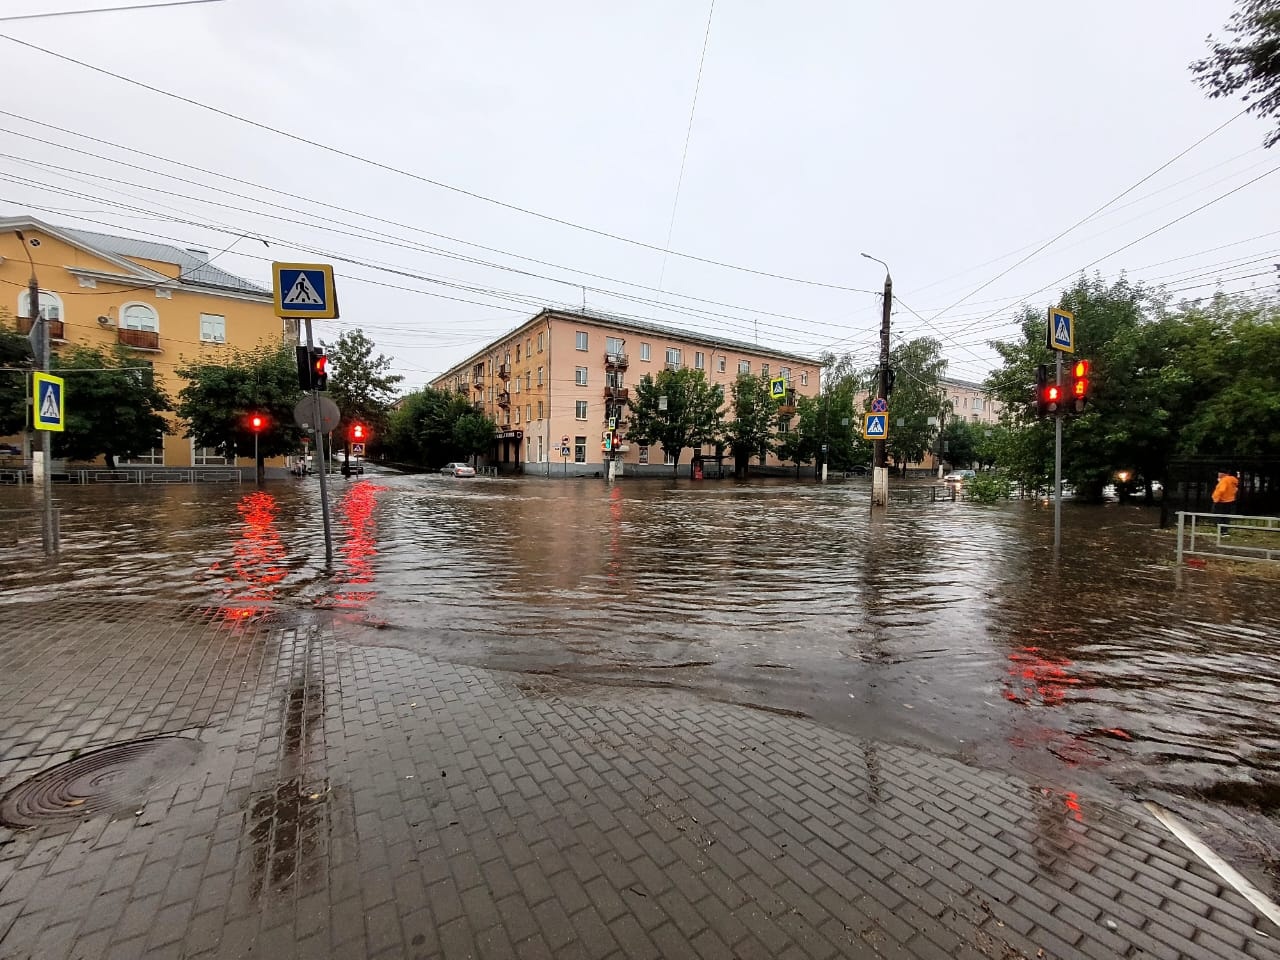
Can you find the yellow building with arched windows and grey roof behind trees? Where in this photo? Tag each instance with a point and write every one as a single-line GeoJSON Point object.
{"type": "Point", "coordinates": [166, 304]}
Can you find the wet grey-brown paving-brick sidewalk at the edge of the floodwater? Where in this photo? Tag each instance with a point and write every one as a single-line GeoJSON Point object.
{"type": "Point", "coordinates": [350, 798]}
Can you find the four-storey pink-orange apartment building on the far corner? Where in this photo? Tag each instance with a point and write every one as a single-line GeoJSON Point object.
{"type": "Point", "coordinates": [555, 383]}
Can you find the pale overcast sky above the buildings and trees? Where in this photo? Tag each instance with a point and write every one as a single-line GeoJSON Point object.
{"type": "Point", "coordinates": [944, 139]}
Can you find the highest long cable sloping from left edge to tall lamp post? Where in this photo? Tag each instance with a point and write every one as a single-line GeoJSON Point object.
{"type": "Point", "coordinates": [420, 179]}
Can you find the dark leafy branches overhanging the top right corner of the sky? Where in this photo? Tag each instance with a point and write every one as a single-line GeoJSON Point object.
{"type": "Point", "coordinates": [1250, 63]}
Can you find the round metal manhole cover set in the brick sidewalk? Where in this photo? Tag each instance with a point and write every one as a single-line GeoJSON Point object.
{"type": "Point", "coordinates": [104, 780]}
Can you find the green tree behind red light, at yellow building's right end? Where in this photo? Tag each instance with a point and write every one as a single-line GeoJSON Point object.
{"type": "Point", "coordinates": [220, 399]}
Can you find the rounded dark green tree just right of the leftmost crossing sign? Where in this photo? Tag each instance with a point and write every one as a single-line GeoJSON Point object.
{"type": "Point", "coordinates": [113, 405]}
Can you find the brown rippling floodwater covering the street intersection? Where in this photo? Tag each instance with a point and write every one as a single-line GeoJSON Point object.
{"type": "Point", "coordinates": [944, 625]}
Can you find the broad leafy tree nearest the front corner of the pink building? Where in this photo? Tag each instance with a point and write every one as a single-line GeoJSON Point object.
{"type": "Point", "coordinates": [676, 409]}
